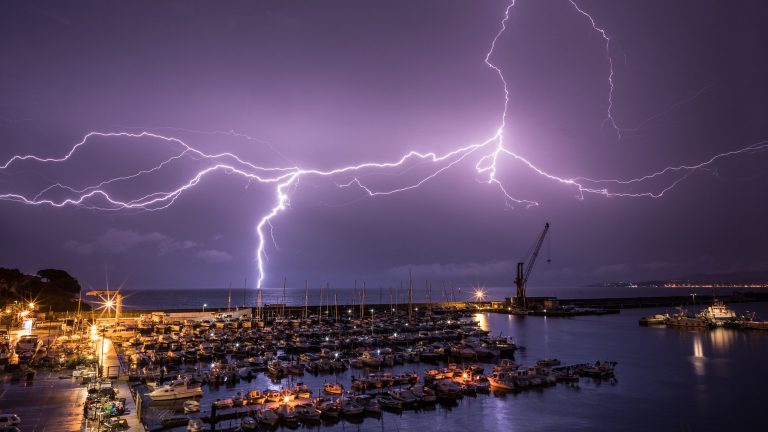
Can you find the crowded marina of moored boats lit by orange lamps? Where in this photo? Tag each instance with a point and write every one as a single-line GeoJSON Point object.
{"type": "Point", "coordinates": [162, 371]}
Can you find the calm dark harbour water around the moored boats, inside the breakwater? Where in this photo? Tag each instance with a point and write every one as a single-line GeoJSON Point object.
{"type": "Point", "coordinates": [668, 380]}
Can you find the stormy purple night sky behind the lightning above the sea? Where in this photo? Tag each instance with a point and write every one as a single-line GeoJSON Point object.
{"type": "Point", "coordinates": [322, 85]}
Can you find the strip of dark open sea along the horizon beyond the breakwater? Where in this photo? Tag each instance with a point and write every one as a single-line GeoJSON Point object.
{"type": "Point", "coordinates": [217, 297]}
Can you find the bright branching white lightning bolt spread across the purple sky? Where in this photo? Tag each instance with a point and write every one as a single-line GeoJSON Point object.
{"type": "Point", "coordinates": [487, 155]}
